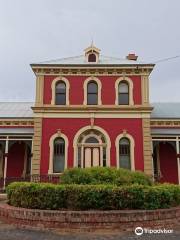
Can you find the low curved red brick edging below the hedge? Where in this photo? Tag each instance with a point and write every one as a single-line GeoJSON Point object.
{"type": "Point", "coordinates": [118, 220]}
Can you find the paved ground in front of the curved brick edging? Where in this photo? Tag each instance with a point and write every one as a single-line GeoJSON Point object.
{"type": "Point", "coordinates": [9, 232]}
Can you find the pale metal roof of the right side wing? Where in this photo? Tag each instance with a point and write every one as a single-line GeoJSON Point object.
{"type": "Point", "coordinates": [166, 110]}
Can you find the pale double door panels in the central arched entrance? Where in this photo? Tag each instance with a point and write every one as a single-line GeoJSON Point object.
{"type": "Point", "coordinates": [91, 157]}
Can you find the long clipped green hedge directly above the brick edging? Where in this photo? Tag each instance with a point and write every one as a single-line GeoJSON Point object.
{"type": "Point", "coordinates": [85, 197]}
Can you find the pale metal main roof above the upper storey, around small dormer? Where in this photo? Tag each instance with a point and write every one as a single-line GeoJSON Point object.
{"type": "Point", "coordinates": [81, 60]}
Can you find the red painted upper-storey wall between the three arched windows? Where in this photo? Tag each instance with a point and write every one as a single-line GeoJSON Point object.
{"type": "Point", "coordinates": [76, 95]}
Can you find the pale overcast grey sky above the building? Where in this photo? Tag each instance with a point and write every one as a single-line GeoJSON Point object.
{"type": "Point", "coordinates": [39, 30]}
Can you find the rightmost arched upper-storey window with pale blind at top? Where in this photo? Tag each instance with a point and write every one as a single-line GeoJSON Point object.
{"type": "Point", "coordinates": [123, 93]}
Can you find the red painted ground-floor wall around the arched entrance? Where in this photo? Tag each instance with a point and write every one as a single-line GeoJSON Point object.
{"type": "Point", "coordinates": [71, 126]}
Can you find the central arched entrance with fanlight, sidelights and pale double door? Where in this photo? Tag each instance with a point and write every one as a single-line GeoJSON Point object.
{"type": "Point", "coordinates": [91, 149]}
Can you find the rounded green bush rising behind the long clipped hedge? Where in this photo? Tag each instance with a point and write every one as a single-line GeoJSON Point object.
{"type": "Point", "coordinates": [104, 175]}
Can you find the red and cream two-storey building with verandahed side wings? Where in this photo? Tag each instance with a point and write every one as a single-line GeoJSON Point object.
{"type": "Point", "coordinates": [90, 110]}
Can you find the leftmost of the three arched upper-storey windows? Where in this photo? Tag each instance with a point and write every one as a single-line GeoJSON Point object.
{"type": "Point", "coordinates": [60, 93]}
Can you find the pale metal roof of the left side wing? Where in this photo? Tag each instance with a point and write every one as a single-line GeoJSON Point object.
{"type": "Point", "coordinates": [16, 110]}
